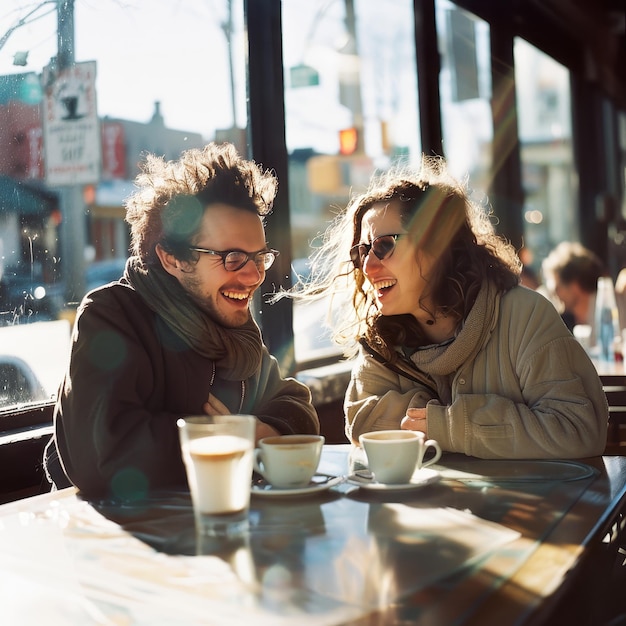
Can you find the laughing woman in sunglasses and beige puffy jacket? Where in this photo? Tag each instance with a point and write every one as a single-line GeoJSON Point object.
{"type": "Point", "coordinates": [447, 342]}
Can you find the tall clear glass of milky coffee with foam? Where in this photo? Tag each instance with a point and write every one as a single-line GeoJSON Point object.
{"type": "Point", "coordinates": [217, 453]}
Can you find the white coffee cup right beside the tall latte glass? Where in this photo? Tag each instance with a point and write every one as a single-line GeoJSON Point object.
{"type": "Point", "coordinates": [288, 461]}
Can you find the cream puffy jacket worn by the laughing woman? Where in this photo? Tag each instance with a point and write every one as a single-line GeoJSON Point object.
{"type": "Point", "coordinates": [513, 384]}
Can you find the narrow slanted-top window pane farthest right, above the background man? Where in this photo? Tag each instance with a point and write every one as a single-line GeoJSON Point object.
{"type": "Point", "coordinates": [548, 176]}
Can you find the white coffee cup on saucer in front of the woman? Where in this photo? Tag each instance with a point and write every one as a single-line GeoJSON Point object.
{"type": "Point", "coordinates": [394, 455]}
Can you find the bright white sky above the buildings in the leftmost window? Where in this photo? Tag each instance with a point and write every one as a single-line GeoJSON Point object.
{"type": "Point", "coordinates": [137, 44]}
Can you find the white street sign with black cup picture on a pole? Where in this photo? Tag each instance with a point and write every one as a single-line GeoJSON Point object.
{"type": "Point", "coordinates": [71, 130]}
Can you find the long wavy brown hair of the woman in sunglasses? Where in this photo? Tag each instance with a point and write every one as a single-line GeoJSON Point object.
{"type": "Point", "coordinates": [443, 221]}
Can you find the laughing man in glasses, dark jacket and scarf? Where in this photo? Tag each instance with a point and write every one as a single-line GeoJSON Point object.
{"type": "Point", "coordinates": [174, 336]}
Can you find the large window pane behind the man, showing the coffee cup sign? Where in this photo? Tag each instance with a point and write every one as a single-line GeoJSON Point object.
{"type": "Point", "coordinates": [150, 75]}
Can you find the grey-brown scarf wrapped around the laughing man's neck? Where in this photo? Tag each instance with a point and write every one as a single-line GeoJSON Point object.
{"type": "Point", "coordinates": [236, 351]}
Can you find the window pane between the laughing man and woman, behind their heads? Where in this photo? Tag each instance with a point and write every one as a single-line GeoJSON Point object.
{"type": "Point", "coordinates": [351, 108]}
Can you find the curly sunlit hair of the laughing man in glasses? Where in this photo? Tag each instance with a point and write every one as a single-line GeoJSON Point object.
{"type": "Point", "coordinates": [168, 206]}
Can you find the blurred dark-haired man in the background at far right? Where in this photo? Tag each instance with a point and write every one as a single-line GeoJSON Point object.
{"type": "Point", "coordinates": [571, 272]}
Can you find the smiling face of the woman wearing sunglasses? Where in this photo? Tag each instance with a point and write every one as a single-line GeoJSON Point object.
{"type": "Point", "coordinates": [398, 280]}
